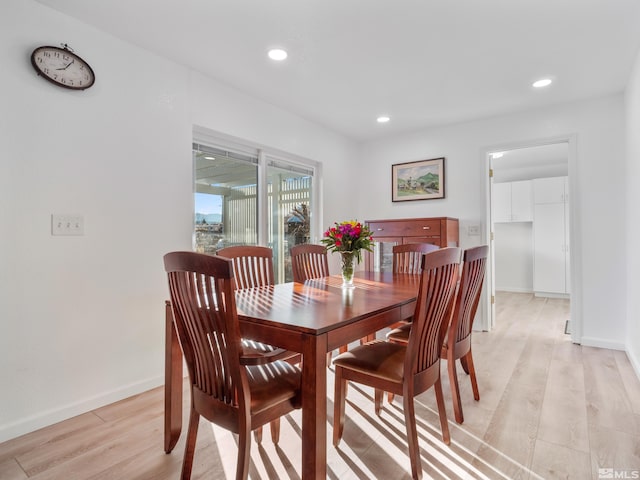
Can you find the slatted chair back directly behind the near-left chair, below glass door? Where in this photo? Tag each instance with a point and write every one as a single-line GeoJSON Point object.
{"type": "Point", "coordinates": [252, 265]}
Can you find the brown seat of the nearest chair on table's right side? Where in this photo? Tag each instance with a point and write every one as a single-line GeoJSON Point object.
{"type": "Point", "coordinates": [381, 359]}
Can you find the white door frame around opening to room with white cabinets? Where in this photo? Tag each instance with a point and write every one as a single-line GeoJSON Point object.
{"type": "Point", "coordinates": [575, 239]}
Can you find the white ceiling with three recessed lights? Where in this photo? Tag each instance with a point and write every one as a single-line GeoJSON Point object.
{"type": "Point", "coordinates": [422, 62]}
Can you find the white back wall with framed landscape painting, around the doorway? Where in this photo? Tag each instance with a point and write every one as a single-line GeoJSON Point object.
{"type": "Point", "coordinates": [598, 207]}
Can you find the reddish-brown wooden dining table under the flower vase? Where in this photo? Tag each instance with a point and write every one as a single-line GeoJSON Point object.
{"type": "Point", "coordinates": [312, 318]}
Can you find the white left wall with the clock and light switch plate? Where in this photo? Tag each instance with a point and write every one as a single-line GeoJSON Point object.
{"type": "Point", "coordinates": [82, 318]}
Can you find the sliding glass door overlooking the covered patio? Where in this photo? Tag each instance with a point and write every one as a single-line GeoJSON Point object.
{"type": "Point", "coordinates": [250, 197]}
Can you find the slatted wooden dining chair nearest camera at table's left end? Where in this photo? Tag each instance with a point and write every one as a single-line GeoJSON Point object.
{"type": "Point", "coordinates": [225, 389]}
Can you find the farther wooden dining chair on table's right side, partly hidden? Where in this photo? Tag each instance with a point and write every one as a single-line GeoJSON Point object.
{"type": "Point", "coordinates": [458, 342]}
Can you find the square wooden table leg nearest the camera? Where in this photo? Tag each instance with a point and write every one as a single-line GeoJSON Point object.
{"type": "Point", "coordinates": [314, 407]}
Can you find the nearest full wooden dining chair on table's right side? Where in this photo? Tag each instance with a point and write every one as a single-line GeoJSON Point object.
{"type": "Point", "coordinates": [406, 369]}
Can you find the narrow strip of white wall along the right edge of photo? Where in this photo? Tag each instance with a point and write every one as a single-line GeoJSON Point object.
{"type": "Point", "coordinates": [632, 226]}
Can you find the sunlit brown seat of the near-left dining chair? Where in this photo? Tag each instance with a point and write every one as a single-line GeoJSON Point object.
{"type": "Point", "coordinates": [272, 384]}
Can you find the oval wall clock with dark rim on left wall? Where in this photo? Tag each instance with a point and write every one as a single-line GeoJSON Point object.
{"type": "Point", "coordinates": [62, 67]}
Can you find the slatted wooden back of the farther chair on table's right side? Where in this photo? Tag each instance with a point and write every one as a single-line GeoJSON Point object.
{"type": "Point", "coordinates": [472, 278]}
